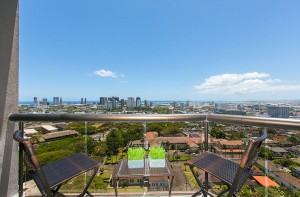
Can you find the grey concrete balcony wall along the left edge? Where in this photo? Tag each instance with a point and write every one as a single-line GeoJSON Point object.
{"type": "Point", "coordinates": [9, 82]}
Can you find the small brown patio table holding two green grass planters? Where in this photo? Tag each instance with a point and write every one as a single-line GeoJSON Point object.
{"type": "Point", "coordinates": [121, 171]}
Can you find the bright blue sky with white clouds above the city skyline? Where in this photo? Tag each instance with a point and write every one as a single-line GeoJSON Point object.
{"type": "Point", "coordinates": [160, 49]}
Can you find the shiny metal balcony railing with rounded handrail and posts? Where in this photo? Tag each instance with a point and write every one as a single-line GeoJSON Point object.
{"type": "Point", "coordinates": [205, 119]}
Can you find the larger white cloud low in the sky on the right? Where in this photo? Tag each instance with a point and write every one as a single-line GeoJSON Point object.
{"type": "Point", "coordinates": [226, 84]}
